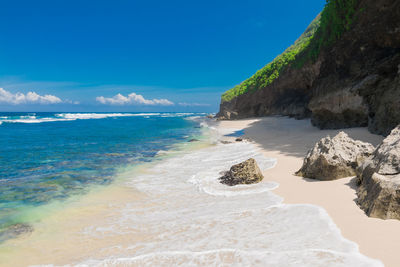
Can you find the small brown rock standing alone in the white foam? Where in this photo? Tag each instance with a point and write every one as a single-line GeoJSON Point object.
{"type": "Point", "coordinates": [246, 172]}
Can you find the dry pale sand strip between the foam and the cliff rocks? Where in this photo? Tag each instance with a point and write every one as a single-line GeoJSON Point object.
{"type": "Point", "coordinates": [288, 140]}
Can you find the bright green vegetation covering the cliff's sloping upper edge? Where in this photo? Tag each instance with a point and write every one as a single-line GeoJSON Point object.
{"type": "Point", "coordinates": [323, 31]}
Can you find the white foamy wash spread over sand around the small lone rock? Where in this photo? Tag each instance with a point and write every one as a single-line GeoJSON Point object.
{"type": "Point", "coordinates": [190, 219]}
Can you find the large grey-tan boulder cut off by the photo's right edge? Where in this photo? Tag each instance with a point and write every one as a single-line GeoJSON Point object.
{"type": "Point", "coordinates": [379, 178]}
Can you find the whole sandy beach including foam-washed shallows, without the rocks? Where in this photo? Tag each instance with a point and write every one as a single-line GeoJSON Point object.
{"type": "Point", "coordinates": [175, 212]}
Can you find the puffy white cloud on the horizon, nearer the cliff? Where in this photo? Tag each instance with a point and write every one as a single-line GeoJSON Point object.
{"type": "Point", "coordinates": [132, 99]}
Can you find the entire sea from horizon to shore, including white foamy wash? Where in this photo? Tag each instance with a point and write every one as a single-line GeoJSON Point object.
{"type": "Point", "coordinates": [130, 189]}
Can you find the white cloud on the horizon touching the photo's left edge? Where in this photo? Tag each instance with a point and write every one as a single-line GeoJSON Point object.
{"type": "Point", "coordinates": [29, 98]}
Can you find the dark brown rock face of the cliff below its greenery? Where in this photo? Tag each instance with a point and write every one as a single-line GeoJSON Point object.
{"type": "Point", "coordinates": [353, 81]}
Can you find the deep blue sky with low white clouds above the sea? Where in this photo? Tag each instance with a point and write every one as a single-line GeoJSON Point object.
{"type": "Point", "coordinates": [138, 55]}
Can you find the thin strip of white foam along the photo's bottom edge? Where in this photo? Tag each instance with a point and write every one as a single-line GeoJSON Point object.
{"type": "Point", "coordinates": [235, 257]}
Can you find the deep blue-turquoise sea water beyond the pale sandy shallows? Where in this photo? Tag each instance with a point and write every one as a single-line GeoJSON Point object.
{"type": "Point", "coordinates": [51, 156]}
